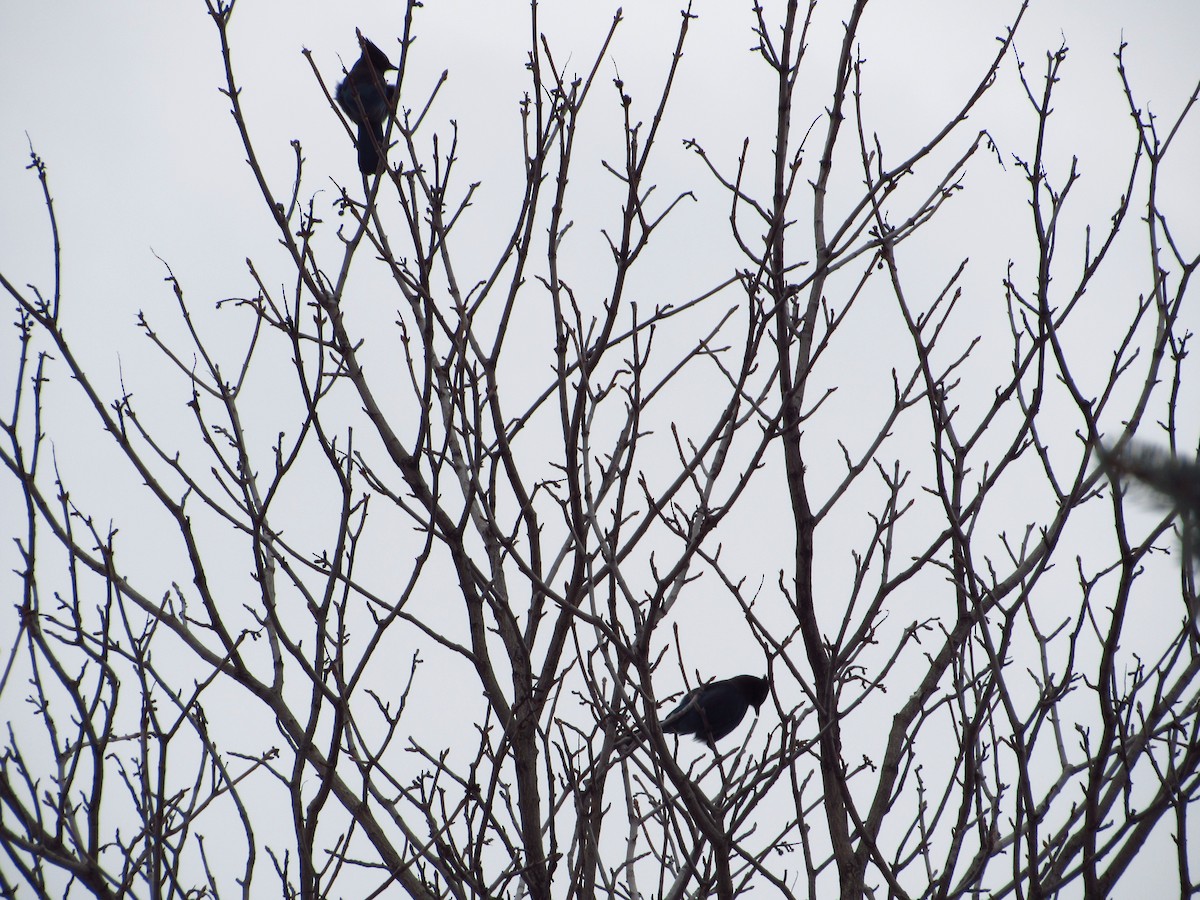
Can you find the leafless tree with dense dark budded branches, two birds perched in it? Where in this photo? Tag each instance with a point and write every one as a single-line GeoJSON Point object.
{"type": "Point", "coordinates": [497, 519]}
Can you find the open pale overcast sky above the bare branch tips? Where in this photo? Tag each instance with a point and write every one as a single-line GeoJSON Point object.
{"type": "Point", "coordinates": [122, 101]}
